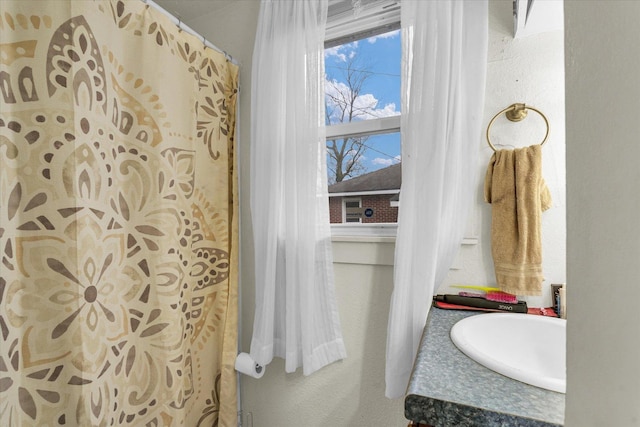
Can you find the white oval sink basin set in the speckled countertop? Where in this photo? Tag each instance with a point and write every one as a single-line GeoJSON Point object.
{"type": "Point", "coordinates": [524, 347]}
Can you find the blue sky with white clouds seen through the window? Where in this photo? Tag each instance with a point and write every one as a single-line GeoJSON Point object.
{"type": "Point", "coordinates": [381, 55]}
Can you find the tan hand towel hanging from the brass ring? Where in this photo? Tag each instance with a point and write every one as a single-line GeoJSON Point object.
{"type": "Point", "coordinates": [518, 194]}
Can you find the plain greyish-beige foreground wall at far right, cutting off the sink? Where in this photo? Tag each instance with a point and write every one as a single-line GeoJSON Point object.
{"type": "Point", "coordinates": [603, 183]}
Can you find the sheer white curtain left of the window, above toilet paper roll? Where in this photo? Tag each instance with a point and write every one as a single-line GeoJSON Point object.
{"type": "Point", "coordinates": [296, 315]}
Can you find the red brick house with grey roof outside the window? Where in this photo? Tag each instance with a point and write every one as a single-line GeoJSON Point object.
{"type": "Point", "coordinates": [369, 198]}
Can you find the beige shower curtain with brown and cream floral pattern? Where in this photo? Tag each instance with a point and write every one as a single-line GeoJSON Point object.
{"type": "Point", "coordinates": [118, 228]}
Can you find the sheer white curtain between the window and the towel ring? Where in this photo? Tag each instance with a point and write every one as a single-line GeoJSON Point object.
{"type": "Point", "coordinates": [444, 67]}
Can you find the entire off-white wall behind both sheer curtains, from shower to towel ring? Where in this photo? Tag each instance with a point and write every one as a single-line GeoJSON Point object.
{"type": "Point", "coordinates": [351, 392]}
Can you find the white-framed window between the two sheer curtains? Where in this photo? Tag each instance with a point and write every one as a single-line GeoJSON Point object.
{"type": "Point", "coordinates": [362, 105]}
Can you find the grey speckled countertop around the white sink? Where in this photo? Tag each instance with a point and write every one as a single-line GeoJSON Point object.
{"type": "Point", "coordinates": [449, 389]}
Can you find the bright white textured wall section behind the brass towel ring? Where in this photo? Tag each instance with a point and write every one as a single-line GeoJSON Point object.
{"type": "Point", "coordinates": [526, 70]}
